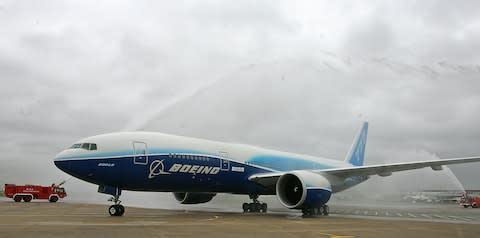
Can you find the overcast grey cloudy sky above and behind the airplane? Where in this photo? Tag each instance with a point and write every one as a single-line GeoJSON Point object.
{"type": "Point", "coordinates": [288, 75]}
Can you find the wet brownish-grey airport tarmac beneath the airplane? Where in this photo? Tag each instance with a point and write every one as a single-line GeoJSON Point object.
{"type": "Point", "coordinates": [43, 219]}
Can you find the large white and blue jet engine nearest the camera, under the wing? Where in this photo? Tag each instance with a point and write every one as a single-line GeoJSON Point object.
{"type": "Point", "coordinates": [300, 189]}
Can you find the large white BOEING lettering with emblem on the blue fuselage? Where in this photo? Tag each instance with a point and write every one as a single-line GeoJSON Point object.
{"type": "Point", "coordinates": [157, 168]}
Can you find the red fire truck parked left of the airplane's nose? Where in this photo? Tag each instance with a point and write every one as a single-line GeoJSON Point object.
{"type": "Point", "coordinates": [29, 192]}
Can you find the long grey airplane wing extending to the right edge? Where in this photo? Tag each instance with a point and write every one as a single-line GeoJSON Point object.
{"type": "Point", "coordinates": [269, 179]}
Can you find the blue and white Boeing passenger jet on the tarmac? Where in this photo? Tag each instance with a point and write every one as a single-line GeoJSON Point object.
{"type": "Point", "coordinates": [195, 170]}
